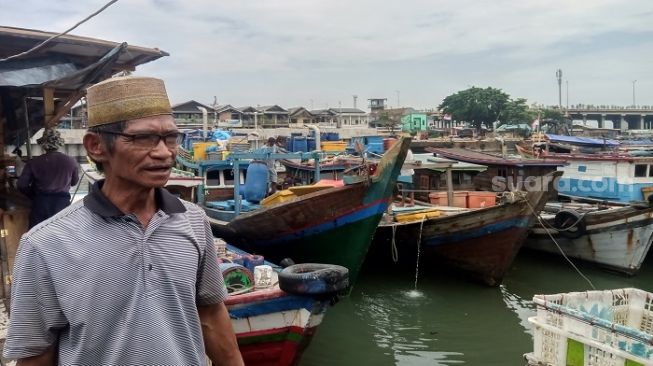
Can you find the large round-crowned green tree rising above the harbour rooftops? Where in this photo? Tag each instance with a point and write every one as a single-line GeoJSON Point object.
{"type": "Point", "coordinates": [476, 105]}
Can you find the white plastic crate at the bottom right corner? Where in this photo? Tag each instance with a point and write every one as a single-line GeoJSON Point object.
{"type": "Point", "coordinates": [597, 328]}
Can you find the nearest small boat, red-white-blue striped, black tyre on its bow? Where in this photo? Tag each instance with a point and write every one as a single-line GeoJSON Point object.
{"type": "Point", "coordinates": [273, 327]}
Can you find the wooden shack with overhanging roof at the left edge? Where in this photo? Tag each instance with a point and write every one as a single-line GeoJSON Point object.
{"type": "Point", "coordinates": [41, 78]}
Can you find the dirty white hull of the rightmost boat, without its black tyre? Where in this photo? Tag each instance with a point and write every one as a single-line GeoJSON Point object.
{"type": "Point", "coordinates": [618, 239]}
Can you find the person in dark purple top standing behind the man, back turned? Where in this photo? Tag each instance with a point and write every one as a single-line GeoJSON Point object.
{"type": "Point", "coordinates": [46, 179]}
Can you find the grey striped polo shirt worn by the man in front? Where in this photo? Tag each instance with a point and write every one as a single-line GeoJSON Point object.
{"type": "Point", "coordinates": [111, 291]}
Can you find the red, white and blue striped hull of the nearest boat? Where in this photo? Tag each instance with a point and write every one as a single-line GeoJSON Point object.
{"type": "Point", "coordinates": [272, 327]}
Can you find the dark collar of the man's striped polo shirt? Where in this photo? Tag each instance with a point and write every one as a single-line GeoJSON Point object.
{"type": "Point", "coordinates": [97, 202]}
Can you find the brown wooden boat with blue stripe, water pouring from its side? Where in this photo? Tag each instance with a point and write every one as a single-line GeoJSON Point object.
{"type": "Point", "coordinates": [482, 242]}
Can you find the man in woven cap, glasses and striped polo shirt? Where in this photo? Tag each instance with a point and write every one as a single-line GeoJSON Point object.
{"type": "Point", "coordinates": [129, 275]}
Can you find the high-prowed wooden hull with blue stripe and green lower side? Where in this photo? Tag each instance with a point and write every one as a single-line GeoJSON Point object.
{"type": "Point", "coordinates": [334, 225]}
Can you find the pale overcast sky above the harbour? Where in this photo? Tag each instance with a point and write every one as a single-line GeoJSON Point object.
{"type": "Point", "coordinates": [412, 52]}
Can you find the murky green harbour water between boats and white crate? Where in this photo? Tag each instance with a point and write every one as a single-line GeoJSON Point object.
{"type": "Point", "coordinates": [454, 321]}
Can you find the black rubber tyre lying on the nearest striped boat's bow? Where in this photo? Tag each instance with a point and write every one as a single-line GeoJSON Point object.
{"type": "Point", "coordinates": [313, 278]}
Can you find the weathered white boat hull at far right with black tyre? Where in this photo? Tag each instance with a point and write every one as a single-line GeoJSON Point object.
{"type": "Point", "coordinates": [615, 237]}
